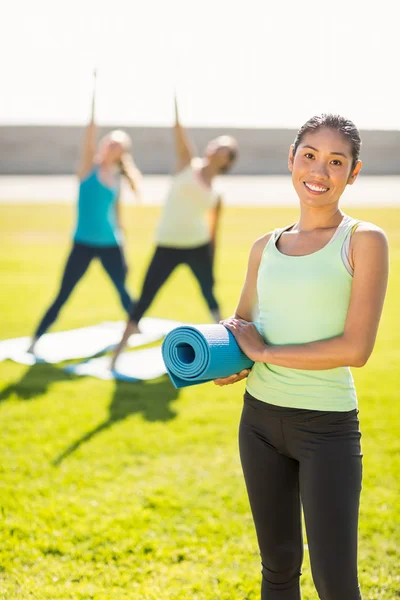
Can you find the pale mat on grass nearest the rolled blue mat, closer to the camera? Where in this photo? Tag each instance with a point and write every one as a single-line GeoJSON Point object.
{"type": "Point", "coordinates": [140, 365]}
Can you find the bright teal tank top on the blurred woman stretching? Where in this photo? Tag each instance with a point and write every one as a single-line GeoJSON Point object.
{"type": "Point", "coordinates": [96, 218]}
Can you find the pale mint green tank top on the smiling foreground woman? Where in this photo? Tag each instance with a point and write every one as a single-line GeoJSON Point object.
{"type": "Point", "coordinates": [303, 299]}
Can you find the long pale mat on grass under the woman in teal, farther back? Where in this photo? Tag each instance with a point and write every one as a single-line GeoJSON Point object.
{"type": "Point", "coordinates": [84, 342]}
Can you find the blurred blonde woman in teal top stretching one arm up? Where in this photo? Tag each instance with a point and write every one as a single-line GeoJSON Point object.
{"type": "Point", "coordinates": [98, 231]}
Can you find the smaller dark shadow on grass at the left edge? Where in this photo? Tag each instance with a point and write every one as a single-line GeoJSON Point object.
{"type": "Point", "coordinates": [35, 381]}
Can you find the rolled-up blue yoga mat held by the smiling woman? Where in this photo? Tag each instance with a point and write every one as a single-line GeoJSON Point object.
{"type": "Point", "coordinates": [196, 354]}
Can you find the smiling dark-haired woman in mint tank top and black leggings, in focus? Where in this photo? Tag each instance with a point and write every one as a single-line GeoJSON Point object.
{"type": "Point", "coordinates": [319, 287]}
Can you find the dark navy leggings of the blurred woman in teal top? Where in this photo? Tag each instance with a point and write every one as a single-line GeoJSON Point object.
{"type": "Point", "coordinates": [78, 261]}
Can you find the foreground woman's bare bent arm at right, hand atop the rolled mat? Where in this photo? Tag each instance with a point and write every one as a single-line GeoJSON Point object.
{"type": "Point", "coordinates": [355, 345]}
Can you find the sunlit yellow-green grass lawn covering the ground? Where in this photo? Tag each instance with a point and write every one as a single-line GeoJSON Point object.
{"type": "Point", "coordinates": [123, 491]}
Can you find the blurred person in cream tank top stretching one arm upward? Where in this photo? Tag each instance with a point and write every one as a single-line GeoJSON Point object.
{"type": "Point", "coordinates": [183, 234]}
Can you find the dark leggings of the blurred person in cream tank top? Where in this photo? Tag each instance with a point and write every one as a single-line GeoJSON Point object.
{"type": "Point", "coordinates": [164, 261]}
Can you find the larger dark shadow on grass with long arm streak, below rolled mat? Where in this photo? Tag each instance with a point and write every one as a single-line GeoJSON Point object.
{"type": "Point", "coordinates": [151, 399]}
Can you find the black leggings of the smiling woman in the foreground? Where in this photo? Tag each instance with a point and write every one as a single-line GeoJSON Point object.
{"type": "Point", "coordinates": [292, 457]}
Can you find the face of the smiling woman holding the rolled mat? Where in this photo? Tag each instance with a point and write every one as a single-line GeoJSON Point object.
{"type": "Point", "coordinates": [322, 167]}
